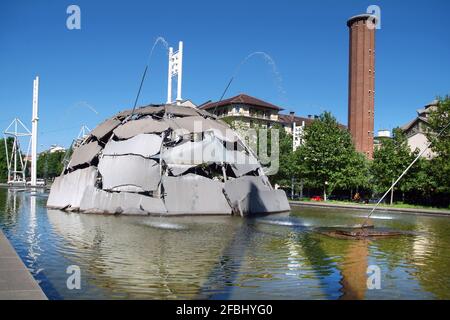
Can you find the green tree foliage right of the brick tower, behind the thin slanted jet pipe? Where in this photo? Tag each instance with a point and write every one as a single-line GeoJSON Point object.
{"type": "Point", "coordinates": [428, 181]}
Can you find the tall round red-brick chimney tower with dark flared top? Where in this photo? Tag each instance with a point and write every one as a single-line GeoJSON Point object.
{"type": "Point", "coordinates": [362, 82]}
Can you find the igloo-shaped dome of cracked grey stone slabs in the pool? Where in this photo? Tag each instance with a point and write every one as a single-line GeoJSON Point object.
{"type": "Point", "coordinates": [164, 160]}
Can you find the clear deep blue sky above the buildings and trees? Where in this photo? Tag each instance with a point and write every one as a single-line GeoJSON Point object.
{"type": "Point", "coordinates": [100, 65]}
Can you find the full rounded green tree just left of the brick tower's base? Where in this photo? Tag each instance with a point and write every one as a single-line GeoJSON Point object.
{"type": "Point", "coordinates": [328, 159]}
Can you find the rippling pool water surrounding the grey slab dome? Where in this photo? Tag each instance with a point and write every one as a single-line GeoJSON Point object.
{"type": "Point", "coordinates": [274, 257]}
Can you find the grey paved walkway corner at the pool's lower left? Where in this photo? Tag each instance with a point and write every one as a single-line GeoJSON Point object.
{"type": "Point", "coordinates": [16, 282]}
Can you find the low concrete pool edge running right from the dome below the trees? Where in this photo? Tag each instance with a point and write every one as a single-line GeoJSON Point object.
{"type": "Point", "coordinates": [423, 212]}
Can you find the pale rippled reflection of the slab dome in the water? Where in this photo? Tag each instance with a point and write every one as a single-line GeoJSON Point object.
{"type": "Point", "coordinates": [138, 259]}
